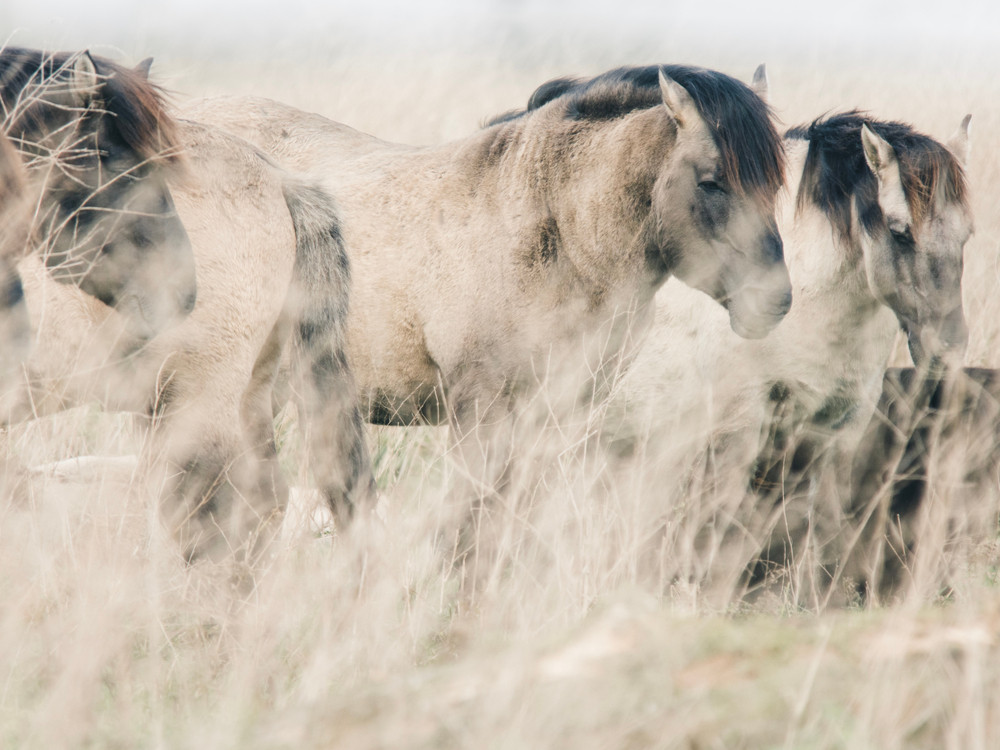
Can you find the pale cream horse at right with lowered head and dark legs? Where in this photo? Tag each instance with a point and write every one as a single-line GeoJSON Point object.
{"type": "Point", "coordinates": [875, 218]}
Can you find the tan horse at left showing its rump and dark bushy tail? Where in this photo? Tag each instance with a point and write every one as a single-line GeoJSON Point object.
{"type": "Point", "coordinates": [273, 282]}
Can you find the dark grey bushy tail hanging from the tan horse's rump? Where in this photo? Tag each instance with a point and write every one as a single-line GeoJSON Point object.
{"type": "Point", "coordinates": [334, 437]}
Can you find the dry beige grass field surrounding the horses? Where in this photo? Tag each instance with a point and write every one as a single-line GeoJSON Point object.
{"type": "Point", "coordinates": [589, 632]}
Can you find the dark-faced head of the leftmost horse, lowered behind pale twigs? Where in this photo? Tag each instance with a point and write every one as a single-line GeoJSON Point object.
{"type": "Point", "coordinates": [98, 147]}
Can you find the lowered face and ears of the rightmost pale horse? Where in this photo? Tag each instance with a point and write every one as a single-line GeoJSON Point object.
{"type": "Point", "coordinates": [913, 234]}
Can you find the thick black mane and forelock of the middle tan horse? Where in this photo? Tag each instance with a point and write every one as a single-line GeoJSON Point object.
{"type": "Point", "coordinates": [741, 123]}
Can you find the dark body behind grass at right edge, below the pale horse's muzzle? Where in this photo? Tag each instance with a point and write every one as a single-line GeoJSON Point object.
{"type": "Point", "coordinates": [923, 480]}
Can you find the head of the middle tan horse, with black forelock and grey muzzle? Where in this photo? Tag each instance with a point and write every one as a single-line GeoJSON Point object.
{"type": "Point", "coordinates": [714, 200]}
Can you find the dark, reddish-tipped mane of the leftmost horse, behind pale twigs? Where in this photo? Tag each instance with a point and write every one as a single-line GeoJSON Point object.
{"type": "Point", "coordinates": [137, 106]}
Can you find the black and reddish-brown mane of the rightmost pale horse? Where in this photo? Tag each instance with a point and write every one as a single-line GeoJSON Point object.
{"type": "Point", "coordinates": [835, 171]}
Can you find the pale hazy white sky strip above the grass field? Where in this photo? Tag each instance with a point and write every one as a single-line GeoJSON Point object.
{"type": "Point", "coordinates": [130, 24]}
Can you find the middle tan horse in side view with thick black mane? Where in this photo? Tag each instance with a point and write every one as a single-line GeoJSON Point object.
{"type": "Point", "coordinates": [529, 252]}
